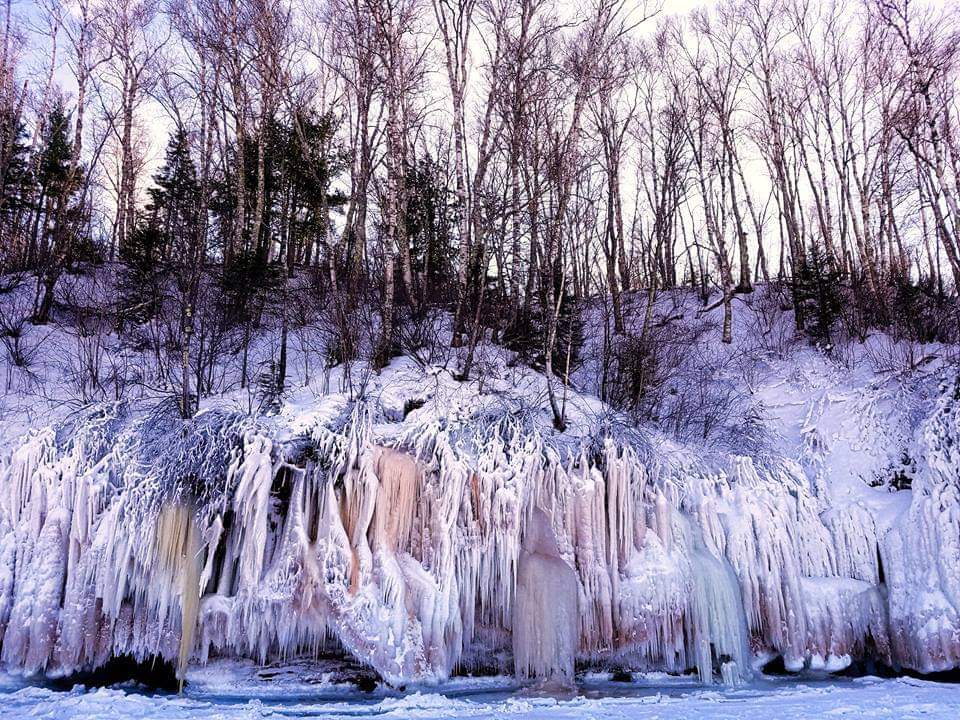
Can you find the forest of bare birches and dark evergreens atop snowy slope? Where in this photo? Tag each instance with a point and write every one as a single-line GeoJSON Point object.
{"type": "Point", "coordinates": [414, 176]}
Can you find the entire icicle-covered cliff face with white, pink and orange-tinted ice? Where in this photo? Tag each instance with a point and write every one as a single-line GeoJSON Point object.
{"type": "Point", "coordinates": [465, 537]}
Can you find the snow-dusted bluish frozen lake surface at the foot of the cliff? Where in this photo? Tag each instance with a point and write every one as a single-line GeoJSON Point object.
{"type": "Point", "coordinates": [229, 693]}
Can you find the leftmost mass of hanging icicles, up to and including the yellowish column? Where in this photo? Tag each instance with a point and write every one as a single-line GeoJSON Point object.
{"type": "Point", "coordinates": [93, 570]}
